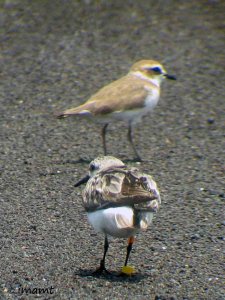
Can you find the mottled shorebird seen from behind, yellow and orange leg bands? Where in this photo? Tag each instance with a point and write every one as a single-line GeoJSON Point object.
{"type": "Point", "coordinates": [119, 201]}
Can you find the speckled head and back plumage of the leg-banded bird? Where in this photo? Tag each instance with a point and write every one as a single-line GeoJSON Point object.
{"type": "Point", "coordinates": [114, 185]}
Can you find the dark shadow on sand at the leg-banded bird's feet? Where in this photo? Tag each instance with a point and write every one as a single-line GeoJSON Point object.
{"type": "Point", "coordinates": [112, 276]}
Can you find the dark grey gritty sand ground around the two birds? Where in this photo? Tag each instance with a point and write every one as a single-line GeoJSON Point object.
{"type": "Point", "coordinates": [54, 55]}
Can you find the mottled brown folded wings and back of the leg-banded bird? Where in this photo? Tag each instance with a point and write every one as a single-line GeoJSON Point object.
{"type": "Point", "coordinates": [120, 187]}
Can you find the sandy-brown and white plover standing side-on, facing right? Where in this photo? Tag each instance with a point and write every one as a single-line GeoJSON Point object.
{"type": "Point", "coordinates": [127, 99]}
